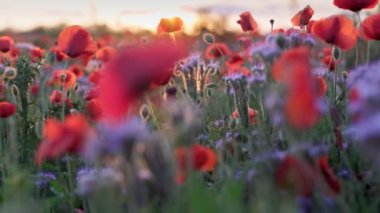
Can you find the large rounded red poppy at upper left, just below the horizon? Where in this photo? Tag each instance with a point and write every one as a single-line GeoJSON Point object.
{"type": "Point", "coordinates": [75, 42]}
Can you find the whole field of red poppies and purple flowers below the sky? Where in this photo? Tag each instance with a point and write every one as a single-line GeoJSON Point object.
{"type": "Point", "coordinates": [283, 121]}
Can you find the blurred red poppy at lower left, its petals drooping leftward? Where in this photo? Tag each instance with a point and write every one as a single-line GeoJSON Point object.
{"type": "Point", "coordinates": [62, 137]}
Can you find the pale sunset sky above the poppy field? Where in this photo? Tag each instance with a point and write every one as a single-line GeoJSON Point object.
{"type": "Point", "coordinates": [26, 14]}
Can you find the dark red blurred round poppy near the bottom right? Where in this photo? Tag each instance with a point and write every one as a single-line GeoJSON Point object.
{"type": "Point", "coordinates": [298, 175]}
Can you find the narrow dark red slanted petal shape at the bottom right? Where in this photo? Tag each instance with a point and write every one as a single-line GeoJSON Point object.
{"type": "Point", "coordinates": [328, 174]}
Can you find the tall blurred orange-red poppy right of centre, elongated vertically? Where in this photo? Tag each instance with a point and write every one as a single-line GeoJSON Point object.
{"type": "Point", "coordinates": [293, 68]}
